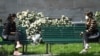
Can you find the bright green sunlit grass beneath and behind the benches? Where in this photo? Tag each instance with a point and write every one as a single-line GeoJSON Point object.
{"type": "Point", "coordinates": [59, 49]}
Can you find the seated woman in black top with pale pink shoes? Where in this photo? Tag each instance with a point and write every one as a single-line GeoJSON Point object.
{"type": "Point", "coordinates": [10, 32]}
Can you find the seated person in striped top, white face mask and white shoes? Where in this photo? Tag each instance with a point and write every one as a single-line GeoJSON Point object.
{"type": "Point", "coordinates": [91, 29]}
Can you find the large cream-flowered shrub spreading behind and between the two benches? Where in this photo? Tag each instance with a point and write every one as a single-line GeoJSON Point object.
{"type": "Point", "coordinates": [33, 21]}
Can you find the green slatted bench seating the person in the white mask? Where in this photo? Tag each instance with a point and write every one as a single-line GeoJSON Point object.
{"type": "Point", "coordinates": [52, 34]}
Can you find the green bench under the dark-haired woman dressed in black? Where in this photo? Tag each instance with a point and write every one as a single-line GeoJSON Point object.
{"type": "Point", "coordinates": [23, 39]}
